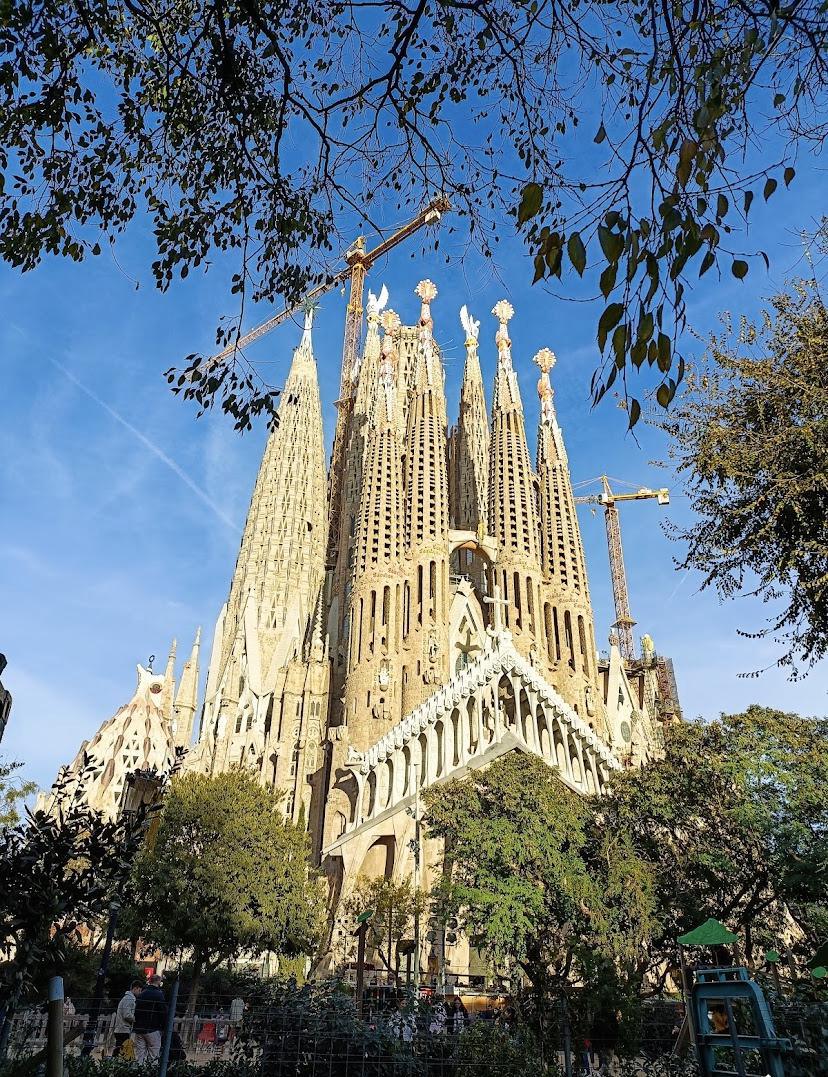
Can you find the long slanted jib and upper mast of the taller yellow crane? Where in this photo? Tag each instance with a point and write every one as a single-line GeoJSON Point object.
{"type": "Point", "coordinates": [358, 263]}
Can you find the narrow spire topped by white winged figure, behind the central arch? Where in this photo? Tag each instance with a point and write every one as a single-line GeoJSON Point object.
{"type": "Point", "coordinates": [471, 441]}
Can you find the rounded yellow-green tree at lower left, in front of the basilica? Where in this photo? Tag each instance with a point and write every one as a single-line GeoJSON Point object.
{"type": "Point", "coordinates": [226, 874]}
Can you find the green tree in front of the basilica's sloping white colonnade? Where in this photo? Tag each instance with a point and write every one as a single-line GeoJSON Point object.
{"type": "Point", "coordinates": [528, 876]}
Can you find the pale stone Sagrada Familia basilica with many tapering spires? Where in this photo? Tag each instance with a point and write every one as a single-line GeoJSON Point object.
{"type": "Point", "coordinates": [404, 617]}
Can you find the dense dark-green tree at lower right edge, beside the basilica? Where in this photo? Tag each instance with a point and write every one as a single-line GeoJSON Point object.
{"type": "Point", "coordinates": [734, 821]}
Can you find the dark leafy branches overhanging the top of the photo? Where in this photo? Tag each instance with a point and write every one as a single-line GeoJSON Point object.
{"type": "Point", "coordinates": [268, 137]}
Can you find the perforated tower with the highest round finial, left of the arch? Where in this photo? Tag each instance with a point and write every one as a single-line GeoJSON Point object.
{"type": "Point", "coordinates": [427, 517]}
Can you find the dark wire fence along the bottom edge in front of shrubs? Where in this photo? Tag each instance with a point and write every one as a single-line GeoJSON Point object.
{"type": "Point", "coordinates": [327, 1038]}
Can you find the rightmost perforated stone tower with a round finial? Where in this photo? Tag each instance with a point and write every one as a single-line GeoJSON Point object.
{"type": "Point", "coordinates": [567, 608]}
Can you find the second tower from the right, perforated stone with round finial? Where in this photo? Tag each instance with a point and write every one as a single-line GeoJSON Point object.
{"type": "Point", "coordinates": [513, 519]}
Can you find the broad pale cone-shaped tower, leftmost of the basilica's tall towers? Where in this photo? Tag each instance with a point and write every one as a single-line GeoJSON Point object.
{"type": "Point", "coordinates": [279, 575]}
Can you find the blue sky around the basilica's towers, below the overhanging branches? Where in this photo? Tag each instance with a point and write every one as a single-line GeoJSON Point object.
{"type": "Point", "coordinates": [122, 512]}
